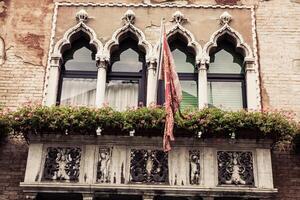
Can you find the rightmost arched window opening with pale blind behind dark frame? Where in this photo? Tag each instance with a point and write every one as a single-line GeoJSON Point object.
{"type": "Point", "coordinates": [226, 77]}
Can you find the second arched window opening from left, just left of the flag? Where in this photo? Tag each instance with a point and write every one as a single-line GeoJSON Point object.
{"type": "Point", "coordinates": [126, 77]}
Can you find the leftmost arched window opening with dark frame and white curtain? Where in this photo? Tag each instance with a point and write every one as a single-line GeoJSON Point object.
{"type": "Point", "coordinates": [78, 77]}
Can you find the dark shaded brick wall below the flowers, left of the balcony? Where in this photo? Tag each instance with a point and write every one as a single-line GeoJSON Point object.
{"type": "Point", "coordinates": [13, 155]}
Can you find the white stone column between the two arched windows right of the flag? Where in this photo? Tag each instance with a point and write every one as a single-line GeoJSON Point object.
{"type": "Point", "coordinates": [202, 86]}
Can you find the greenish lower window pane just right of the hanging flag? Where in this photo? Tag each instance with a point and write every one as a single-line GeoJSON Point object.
{"type": "Point", "coordinates": [189, 94]}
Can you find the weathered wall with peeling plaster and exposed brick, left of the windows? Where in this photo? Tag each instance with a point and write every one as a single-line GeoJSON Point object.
{"type": "Point", "coordinates": [25, 27]}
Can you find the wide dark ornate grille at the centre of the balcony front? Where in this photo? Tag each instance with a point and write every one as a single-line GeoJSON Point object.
{"type": "Point", "coordinates": [149, 166]}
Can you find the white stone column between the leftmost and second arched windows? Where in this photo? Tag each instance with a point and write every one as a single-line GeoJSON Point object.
{"type": "Point", "coordinates": [101, 83]}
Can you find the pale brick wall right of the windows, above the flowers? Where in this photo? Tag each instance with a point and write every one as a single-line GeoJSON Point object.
{"type": "Point", "coordinates": [278, 29]}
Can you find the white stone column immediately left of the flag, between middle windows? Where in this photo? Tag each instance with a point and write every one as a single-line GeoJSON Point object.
{"type": "Point", "coordinates": [151, 83]}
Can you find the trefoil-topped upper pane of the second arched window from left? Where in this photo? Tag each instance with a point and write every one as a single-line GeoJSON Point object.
{"type": "Point", "coordinates": [129, 62]}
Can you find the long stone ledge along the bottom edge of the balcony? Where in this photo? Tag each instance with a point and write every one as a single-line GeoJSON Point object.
{"type": "Point", "coordinates": [99, 189]}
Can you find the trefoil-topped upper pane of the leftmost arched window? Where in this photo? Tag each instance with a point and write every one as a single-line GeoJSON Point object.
{"type": "Point", "coordinates": [82, 61]}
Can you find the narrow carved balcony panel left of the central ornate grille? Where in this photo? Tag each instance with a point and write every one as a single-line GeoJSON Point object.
{"type": "Point", "coordinates": [103, 169]}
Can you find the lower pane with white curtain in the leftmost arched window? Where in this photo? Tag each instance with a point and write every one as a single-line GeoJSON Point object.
{"type": "Point", "coordinates": [78, 91]}
